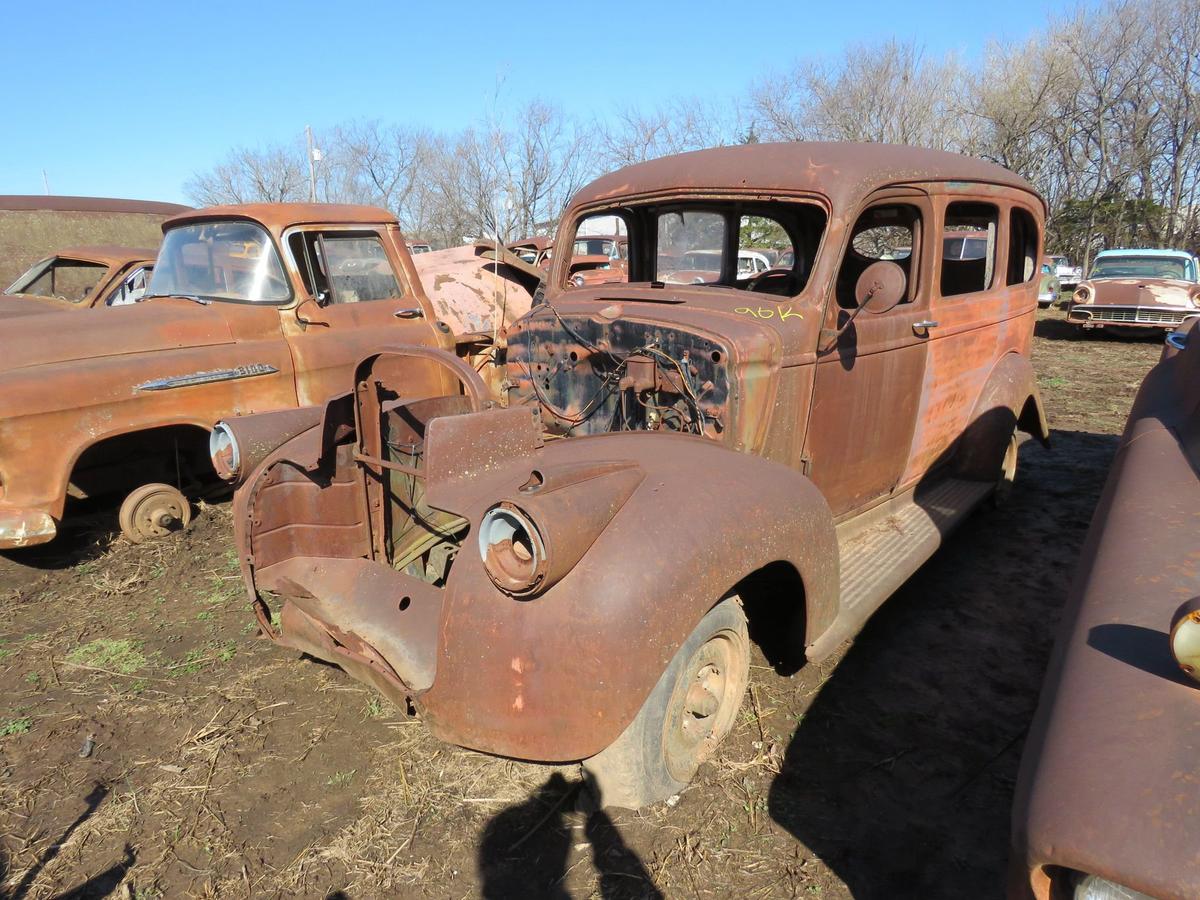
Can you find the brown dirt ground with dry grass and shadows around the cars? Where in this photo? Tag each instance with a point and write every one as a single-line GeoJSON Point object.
{"type": "Point", "coordinates": [152, 747]}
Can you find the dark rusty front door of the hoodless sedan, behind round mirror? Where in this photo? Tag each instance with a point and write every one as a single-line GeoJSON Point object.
{"type": "Point", "coordinates": [868, 385]}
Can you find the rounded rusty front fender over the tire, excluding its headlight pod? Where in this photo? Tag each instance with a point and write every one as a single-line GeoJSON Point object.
{"type": "Point", "coordinates": [560, 676]}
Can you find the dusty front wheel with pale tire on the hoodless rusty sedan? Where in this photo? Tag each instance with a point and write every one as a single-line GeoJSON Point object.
{"type": "Point", "coordinates": [691, 711]}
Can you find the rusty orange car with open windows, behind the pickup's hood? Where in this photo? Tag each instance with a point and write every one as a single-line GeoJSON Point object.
{"type": "Point", "coordinates": [80, 279]}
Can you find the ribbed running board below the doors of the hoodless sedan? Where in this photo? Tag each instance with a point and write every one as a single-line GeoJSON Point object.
{"type": "Point", "coordinates": [880, 550]}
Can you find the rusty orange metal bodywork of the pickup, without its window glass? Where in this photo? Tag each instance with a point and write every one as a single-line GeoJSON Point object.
{"type": "Point", "coordinates": [161, 373]}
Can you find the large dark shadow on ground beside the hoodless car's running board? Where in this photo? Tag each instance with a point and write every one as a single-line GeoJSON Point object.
{"type": "Point", "coordinates": [871, 782]}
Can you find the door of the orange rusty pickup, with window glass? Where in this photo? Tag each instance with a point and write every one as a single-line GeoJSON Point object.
{"type": "Point", "coordinates": [356, 304]}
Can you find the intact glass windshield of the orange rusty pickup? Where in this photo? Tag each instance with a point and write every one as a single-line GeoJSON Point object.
{"type": "Point", "coordinates": [220, 261]}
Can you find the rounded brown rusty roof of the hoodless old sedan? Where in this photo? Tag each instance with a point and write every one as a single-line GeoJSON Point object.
{"type": "Point", "coordinates": [843, 172]}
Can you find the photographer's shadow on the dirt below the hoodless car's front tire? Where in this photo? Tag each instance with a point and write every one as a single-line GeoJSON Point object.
{"type": "Point", "coordinates": [530, 849]}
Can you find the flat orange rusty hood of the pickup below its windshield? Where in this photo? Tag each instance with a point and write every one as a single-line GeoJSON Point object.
{"type": "Point", "coordinates": [91, 334]}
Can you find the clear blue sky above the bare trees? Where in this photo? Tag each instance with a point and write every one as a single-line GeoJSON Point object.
{"type": "Point", "coordinates": [130, 99]}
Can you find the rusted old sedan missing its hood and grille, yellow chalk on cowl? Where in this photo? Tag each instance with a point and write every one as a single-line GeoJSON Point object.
{"type": "Point", "coordinates": [569, 577]}
